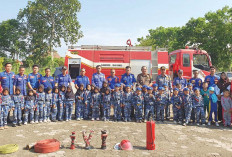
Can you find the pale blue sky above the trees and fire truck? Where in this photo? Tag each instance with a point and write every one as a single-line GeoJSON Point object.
{"type": "Point", "coordinates": [112, 22]}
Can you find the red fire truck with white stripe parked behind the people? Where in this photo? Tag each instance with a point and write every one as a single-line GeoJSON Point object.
{"type": "Point", "coordinates": [118, 57]}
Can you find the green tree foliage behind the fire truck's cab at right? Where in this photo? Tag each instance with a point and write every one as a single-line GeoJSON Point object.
{"type": "Point", "coordinates": [211, 32]}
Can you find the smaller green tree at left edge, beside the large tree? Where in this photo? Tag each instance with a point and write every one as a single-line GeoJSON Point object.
{"type": "Point", "coordinates": [12, 39]}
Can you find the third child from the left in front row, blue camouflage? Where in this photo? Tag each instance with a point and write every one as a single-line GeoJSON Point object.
{"type": "Point", "coordinates": [29, 107]}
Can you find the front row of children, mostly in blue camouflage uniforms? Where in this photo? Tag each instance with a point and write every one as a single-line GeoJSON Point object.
{"type": "Point", "coordinates": [92, 103]}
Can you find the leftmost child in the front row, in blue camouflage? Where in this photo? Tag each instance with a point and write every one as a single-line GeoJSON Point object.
{"type": "Point", "coordinates": [5, 108]}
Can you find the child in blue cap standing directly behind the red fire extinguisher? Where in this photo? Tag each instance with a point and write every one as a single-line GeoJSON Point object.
{"type": "Point", "coordinates": [149, 100]}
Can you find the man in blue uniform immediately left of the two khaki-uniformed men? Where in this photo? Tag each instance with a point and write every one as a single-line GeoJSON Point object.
{"type": "Point", "coordinates": [128, 78]}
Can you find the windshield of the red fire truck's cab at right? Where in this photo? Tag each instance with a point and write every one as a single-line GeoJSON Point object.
{"type": "Point", "coordinates": [201, 61]}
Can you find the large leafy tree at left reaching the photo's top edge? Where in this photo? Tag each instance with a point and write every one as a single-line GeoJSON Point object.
{"type": "Point", "coordinates": [49, 21]}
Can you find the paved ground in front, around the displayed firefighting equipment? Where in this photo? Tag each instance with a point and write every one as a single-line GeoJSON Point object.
{"type": "Point", "coordinates": [171, 139]}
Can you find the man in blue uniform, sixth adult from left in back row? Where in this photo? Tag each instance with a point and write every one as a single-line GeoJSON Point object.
{"type": "Point", "coordinates": [82, 79]}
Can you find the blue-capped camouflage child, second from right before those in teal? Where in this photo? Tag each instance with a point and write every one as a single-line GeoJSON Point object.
{"type": "Point", "coordinates": [187, 106]}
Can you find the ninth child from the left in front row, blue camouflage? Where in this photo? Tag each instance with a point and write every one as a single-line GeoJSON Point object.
{"type": "Point", "coordinates": [79, 108]}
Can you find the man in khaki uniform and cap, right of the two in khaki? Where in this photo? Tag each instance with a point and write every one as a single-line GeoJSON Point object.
{"type": "Point", "coordinates": [163, 78]}
